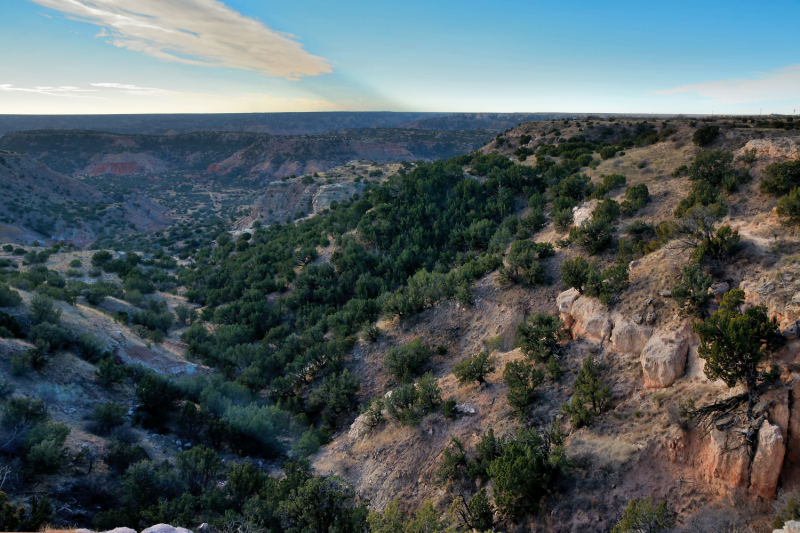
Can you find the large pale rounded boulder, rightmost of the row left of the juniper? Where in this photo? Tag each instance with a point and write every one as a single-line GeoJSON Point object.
{"type": "Point", "coordinates": [664, 357]}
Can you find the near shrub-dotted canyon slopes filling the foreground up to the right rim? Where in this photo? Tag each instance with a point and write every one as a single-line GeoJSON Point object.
{"type": "Point", "coordinates": [516, 339]}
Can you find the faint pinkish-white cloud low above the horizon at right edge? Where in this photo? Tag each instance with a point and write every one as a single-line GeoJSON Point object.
{"type": "Point", "coordinates": [783, 84]}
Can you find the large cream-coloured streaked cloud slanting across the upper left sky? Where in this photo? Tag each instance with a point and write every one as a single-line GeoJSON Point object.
{"type": "Point", "coordinates": [196, 32]}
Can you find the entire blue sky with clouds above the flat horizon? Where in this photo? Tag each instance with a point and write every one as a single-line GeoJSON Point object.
{"type": "Point", "coordinates": [241, 56]}
